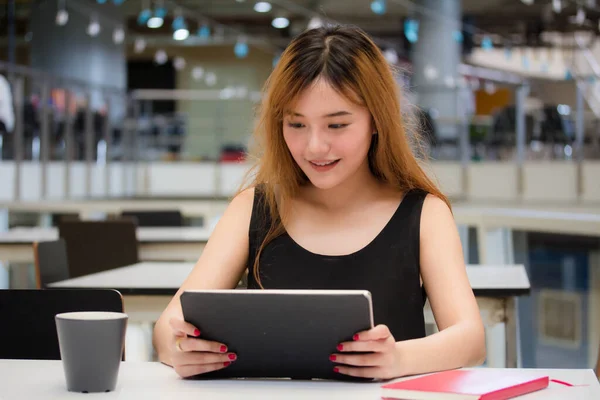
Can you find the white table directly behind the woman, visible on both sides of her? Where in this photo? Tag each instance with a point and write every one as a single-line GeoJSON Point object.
{"type": "Point", "coordinates": [148, 287]}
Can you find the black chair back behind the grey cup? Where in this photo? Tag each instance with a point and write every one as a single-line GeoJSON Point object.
{"type": "Point", "coordinates": [28, 326]}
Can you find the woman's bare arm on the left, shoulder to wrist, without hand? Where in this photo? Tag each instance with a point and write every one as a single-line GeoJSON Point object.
{"type": "Point", "coordinates": [220, 266]}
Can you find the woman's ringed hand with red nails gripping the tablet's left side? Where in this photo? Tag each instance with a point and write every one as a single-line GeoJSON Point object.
{"type": "Point", "coordinates": [192, 356]}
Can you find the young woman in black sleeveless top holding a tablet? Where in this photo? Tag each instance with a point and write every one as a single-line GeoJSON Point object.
{"type": "Point", "coordinates": [338, 201]}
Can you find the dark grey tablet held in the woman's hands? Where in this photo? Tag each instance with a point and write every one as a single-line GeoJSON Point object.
{"type": "Point", "coordinates": [279, 333]}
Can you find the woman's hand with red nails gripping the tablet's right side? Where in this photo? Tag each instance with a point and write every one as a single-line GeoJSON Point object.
{"type": "Point", "coordinates": [381, 360]}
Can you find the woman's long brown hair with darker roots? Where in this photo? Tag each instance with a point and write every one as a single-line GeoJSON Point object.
{"type": "Point", "coordinates": [353, 65]}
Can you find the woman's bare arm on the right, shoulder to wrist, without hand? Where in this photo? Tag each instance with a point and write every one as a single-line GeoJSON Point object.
{"type": "Point", "coordinates": [460, 341]}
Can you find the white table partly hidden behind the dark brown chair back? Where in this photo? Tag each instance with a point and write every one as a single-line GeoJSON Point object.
{"type": "Point", "coordinates": [164, 243]}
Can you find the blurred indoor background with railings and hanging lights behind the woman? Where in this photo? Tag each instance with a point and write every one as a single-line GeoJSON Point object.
{"type": "Point", "coordinates": [110, 106]}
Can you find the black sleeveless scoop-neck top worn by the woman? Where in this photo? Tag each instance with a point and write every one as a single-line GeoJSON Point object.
{"type": "Point", "coordinates": [388, 266]}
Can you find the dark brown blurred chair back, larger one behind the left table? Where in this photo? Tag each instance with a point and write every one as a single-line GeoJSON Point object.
{"type": "Point", "coordinates": [96, 246]}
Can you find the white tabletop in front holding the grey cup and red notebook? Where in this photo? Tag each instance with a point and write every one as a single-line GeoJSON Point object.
{"type": "Point", "coordinates": [36, 379]}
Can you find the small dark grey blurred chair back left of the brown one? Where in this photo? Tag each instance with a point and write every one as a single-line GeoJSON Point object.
{"type": "Point", "coordinates": [50, 260]}
